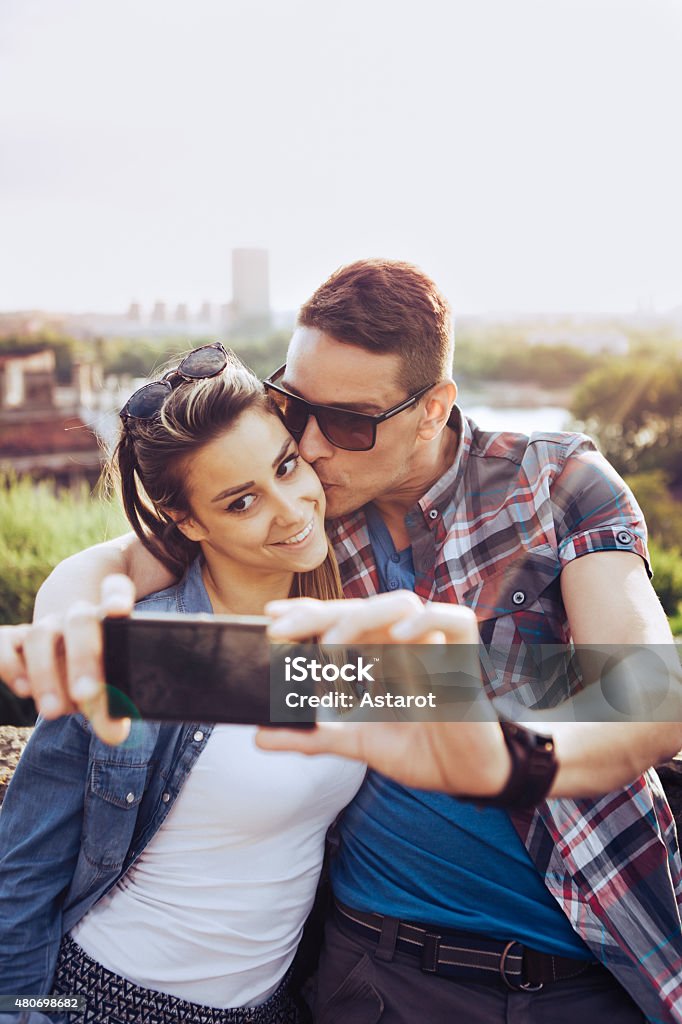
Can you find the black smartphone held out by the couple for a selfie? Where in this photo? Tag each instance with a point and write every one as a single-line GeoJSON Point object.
{"type": "Point", "coordinates": [179, 668]}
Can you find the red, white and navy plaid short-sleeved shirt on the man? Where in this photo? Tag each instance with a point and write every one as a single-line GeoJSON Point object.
{"type": "Point", "coordinates": [494, 534]}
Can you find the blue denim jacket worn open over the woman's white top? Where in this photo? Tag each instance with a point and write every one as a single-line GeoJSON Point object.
{"type": "Point", "coordinates": [77, 816]}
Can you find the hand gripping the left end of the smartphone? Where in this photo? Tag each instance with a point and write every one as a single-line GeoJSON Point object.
{"type": "Point", "coordinates": [58, 661]}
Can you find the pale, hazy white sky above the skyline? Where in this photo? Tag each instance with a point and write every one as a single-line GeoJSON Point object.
{"type": "Point", "coordinates": [526, 153]}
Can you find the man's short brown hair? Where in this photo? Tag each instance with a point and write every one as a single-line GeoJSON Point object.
{"type": "Point", "coordinates": [388, 307]}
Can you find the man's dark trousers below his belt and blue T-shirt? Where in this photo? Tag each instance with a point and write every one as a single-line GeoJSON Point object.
{"type": "Point", "coordinates": [363, 983]}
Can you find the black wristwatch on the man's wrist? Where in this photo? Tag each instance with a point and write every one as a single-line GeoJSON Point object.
{"type": "Point", "coordinates": [533, 771]}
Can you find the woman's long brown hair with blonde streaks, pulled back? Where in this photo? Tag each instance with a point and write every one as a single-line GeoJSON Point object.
{"type": "Point", "coordinates": [150, 466]}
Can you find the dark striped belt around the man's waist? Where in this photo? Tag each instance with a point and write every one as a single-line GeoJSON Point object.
{"type": "Point", "coordinates": [463, 955]}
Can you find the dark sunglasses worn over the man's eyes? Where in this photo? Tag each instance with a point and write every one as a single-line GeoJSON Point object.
{"type": "Point", "coordinates": [343, 429]}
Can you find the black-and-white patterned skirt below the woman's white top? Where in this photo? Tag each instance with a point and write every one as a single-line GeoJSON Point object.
{"type": "Point", "coordinates": [113, 1000]}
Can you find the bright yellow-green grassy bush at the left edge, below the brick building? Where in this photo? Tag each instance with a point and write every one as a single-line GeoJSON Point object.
{"type": "Point", "coordinates": [40, 527]}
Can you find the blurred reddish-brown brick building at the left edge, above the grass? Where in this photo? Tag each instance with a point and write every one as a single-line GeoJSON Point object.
{"type": "Point", "coordinates": [39, 438]}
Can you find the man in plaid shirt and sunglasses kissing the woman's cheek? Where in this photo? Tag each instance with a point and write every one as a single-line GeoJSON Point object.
{"type": "Point", "coordinates": [545, 543]}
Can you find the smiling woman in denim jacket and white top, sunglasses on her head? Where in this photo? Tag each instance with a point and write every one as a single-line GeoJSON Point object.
{"type": "Point", "coordinates": [170, 878]}
